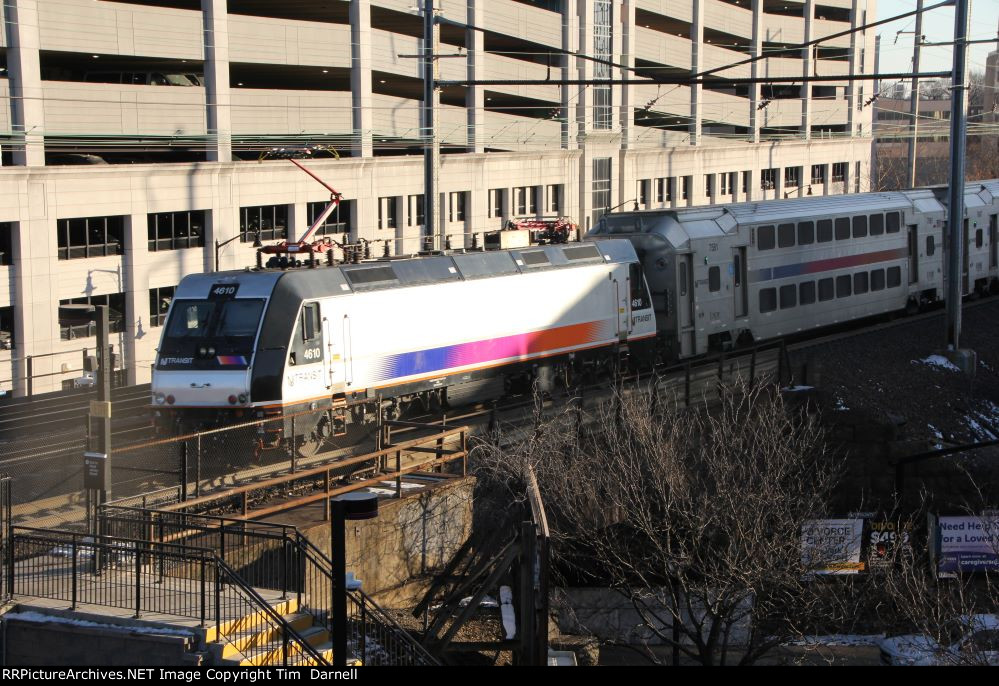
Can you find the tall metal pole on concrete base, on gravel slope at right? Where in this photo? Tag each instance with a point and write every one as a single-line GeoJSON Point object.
{"type": "Point", "coordinates": [965, 359]}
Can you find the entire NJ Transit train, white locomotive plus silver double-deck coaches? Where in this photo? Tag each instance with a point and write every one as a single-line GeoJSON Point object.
{"type": "Point", "coordinates": [453, 328]}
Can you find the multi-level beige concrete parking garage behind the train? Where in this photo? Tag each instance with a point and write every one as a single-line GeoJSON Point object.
{"type": "Point", "coordinates": [137, 134]}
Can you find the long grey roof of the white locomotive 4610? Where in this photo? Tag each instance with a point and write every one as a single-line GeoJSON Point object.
{"type": "Point", "coordinates": [402, 273]}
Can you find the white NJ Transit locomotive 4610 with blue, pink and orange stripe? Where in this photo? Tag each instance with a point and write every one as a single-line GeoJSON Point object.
{"type": "Point", "coordinates": [262, 343]}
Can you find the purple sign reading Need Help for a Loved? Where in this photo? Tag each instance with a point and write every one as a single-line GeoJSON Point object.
{"type": "Point", "coordinates": [968, 544]}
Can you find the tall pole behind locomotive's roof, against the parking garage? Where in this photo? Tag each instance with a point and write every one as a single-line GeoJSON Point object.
{"type": "Point", "coordinates": [432, 149]}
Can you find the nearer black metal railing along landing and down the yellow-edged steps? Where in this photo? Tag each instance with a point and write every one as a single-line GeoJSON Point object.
{"type": "Point", "coordinates": [150, 576]}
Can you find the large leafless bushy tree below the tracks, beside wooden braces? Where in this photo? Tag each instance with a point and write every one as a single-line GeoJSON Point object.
{"type": "Point", "coordinates": [693, 515]}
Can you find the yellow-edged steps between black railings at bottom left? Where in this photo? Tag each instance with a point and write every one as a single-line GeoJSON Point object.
{"type": "Point", "coordinates": [252, 640]}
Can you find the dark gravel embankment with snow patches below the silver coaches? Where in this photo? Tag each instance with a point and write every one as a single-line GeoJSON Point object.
{"type": "Point", "coordinates": [896, 377]}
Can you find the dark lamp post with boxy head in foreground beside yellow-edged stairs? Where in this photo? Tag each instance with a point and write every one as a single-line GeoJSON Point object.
{"type": "Point", "coordinates": [348, 507]}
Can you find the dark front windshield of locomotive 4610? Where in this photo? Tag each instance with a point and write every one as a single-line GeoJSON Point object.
{"type": "Point", "coordinates": [211, 334]}
